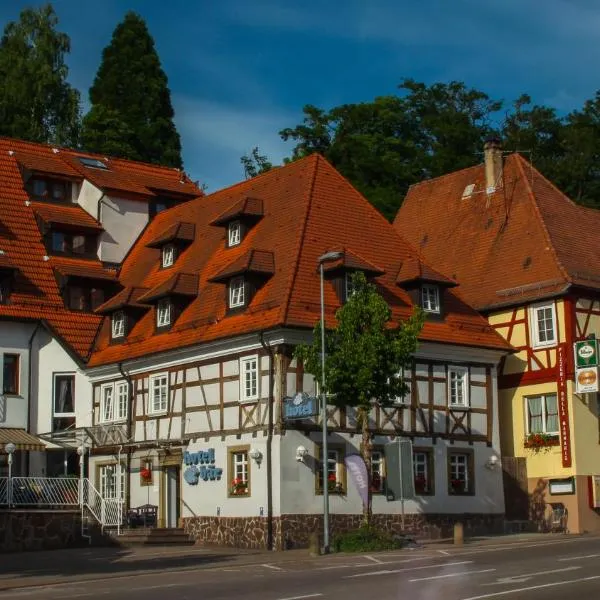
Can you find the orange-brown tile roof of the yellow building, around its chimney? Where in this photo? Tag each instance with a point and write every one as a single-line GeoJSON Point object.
{"type": "Point", "coordinates": [523, 242]}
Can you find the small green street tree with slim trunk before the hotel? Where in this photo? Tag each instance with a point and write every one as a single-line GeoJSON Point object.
{"type": "Point", "coordinates": [365, 356]}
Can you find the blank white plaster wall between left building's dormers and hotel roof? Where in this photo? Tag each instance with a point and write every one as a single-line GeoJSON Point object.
{"type": "Point", "coordinates": [123, 220]}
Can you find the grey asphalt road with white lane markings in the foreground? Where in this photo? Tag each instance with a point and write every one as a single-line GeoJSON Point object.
{"type": "Point", "coordinates": [537, 571]}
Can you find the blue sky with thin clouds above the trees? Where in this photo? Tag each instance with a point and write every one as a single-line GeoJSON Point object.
{"type": "Point", "coordinates": [240, 71]}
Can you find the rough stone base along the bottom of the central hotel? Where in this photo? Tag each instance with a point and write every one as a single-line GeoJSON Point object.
{"type": "Point", "coordinates": [294, 531]}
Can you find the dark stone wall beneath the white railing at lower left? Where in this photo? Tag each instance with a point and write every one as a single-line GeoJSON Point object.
{"type": "Point", "coordinates": [40, 530]}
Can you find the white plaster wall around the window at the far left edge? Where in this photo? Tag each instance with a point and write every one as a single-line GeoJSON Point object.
{"type": "Point", "coordinates": [14, 339]}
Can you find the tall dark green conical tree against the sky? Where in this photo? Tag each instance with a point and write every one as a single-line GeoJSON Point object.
{"type": "Point", "coordinates": [131, 114]}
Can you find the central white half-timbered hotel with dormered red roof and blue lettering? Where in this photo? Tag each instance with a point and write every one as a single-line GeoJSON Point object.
{"type": "Point", "coordinates": [195, 357]}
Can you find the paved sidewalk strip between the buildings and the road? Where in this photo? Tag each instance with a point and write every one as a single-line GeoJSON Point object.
{"type": "Point", "coordinates": [33, 569]}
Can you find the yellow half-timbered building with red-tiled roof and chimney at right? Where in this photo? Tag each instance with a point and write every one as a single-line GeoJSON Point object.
{"type": "Point", "coordinates": [524, 255]}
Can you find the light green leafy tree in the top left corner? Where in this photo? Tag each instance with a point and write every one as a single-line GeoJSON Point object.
{"type": "Point", "coordinates": [36, 102]}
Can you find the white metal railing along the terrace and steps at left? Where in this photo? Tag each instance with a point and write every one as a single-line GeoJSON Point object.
{"type": "Point", "coordinates": [55, 492]}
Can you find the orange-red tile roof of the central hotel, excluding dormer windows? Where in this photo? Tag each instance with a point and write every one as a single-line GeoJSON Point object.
{"type": "Point", "coordinates": [309, 208]}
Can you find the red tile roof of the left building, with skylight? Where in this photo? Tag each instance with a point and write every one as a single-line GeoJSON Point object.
{"type": "Point", "coordinates": [36, 295]}
